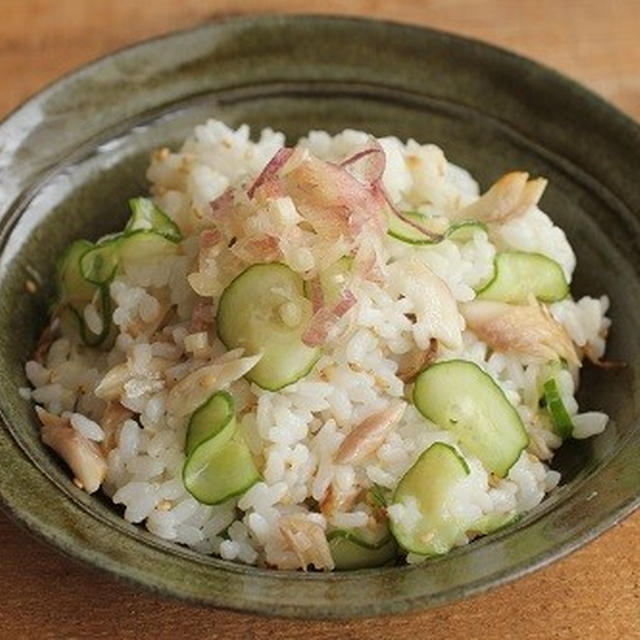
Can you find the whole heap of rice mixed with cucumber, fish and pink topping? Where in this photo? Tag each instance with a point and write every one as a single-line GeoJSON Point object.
{"type": "Point", "coordinates": [336, 355]}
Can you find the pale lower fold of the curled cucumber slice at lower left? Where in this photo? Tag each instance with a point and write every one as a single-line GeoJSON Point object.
{"type": "Point", "coordinates": [219, 469]}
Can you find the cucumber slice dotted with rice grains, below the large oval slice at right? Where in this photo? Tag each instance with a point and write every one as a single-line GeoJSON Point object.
{"type": "Point", "coordinates": [428, 524]}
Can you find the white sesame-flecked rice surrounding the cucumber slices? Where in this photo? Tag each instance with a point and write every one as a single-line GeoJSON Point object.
{"type": "Point", "coordinates": [164, 312]}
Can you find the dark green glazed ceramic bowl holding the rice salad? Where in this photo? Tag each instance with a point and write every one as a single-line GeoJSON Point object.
{"type": "Point", "coordinates": [73, 154]}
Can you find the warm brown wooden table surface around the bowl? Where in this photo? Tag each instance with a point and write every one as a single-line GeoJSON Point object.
{"type": "Point", "coordinates": [594, 593]}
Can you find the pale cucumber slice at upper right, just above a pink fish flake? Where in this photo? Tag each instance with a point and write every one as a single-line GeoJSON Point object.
{"type": "Point", "coordinates": [518, 275]}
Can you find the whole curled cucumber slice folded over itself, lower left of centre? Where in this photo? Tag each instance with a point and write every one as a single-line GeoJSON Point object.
{"type": "Point", "coordinates": [219, 464]}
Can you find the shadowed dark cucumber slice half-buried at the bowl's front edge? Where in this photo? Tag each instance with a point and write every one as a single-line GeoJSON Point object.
{"type": "Point", "coordinates": [349, 551]}
